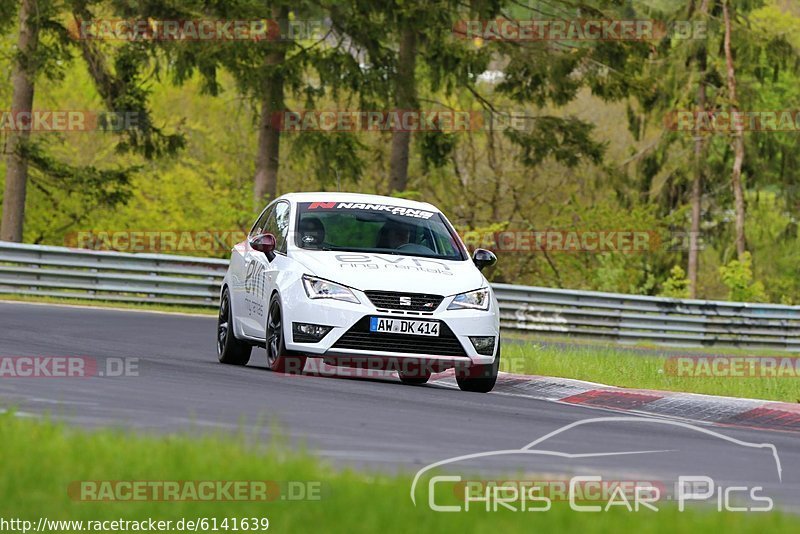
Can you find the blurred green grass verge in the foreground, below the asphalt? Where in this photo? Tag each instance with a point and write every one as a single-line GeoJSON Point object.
{"type": "Point", "coordinates": [41, 459]}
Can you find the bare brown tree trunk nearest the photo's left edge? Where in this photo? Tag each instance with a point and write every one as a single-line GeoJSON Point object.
{"type": "Point", "coordinates": [22, 79]}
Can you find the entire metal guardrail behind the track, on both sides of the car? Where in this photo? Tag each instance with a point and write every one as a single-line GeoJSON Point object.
{"type": "Point", "coordinates": [113, 276]}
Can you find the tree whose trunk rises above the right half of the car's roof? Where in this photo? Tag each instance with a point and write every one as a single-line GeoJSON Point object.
{"type": "Point", "coordinates": [410, 51]}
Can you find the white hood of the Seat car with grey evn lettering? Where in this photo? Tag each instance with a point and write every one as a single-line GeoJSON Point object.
{"type": "Point", "coordinates": [388, 272]}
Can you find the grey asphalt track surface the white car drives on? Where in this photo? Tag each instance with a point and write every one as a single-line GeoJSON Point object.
{"type": "Point", "coordinates": [368, 424]}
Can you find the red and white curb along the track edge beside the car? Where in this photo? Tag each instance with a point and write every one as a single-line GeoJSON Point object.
{"type": "Point", "coordinates": [728, 411]}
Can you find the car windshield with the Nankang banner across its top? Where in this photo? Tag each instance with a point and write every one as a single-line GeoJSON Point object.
{"type": "Point", "coordinates": [381, 228]}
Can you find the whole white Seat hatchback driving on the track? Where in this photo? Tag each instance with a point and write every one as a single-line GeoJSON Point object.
{"type": "Point", "coordinates": [360, 280]}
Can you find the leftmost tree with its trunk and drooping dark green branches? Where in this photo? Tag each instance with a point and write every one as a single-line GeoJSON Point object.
{"type": "Point", "coordinates": [45, 48]}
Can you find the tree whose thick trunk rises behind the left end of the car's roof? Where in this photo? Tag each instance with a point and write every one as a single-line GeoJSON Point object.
{"type": "Point", "coordinates": [271, 72]}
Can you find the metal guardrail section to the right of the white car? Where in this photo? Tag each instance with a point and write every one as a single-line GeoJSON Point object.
{"type": "Point", "coordinates": [637, 318]}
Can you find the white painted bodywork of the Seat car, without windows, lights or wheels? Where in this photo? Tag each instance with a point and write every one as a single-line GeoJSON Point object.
{"type": "Point", "coordinates": [252, 279]}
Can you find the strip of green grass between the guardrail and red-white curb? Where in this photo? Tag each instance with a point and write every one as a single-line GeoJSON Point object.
{"type": "Point", "coordinates": [643, 369]}
